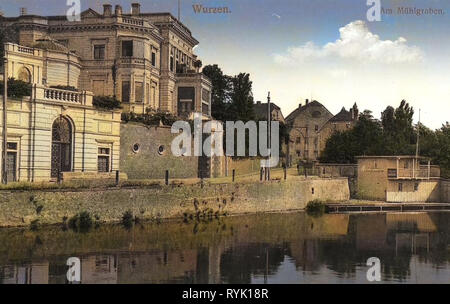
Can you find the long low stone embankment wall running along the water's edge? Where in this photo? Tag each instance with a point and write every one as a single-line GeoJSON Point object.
{"type": "Point", "coordinates": [155, 202]}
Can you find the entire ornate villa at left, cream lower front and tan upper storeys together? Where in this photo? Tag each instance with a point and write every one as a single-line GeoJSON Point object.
{"type": "Point", "coordinates": [145, 60]}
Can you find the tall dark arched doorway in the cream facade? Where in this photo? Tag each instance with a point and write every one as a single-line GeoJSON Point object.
{"type": "Point", "coordinates": [61, 146]}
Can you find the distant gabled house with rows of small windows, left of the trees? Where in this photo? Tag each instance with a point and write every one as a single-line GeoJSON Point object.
{"type": "Point", "coordinates": [304, 125]}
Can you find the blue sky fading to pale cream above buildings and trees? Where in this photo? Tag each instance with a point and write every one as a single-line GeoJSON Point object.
{"type": "Point", "coordinates": [325, 50]}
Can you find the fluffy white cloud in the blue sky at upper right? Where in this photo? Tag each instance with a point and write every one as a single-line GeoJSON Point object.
{"type": "Point", "coordinates": [356, 42]}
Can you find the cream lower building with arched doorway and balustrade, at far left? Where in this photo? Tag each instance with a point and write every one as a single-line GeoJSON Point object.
{"type": "Point", "coordinates": [56, 132]}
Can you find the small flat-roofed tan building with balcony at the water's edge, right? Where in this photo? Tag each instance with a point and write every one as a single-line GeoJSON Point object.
{"type": "Point", "coordinates": [398, 179]}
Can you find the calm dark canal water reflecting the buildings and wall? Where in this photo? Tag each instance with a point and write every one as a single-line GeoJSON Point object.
{"type": "Point", "coordinates": [271, 248]}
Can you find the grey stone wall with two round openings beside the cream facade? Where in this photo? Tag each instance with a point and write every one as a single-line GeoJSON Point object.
{"type": "Point", "coordinates": [148, 162]}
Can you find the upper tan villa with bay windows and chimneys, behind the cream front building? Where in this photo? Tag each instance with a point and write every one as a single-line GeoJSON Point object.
{"type": "Point", "coordinates": [146, 60]}
